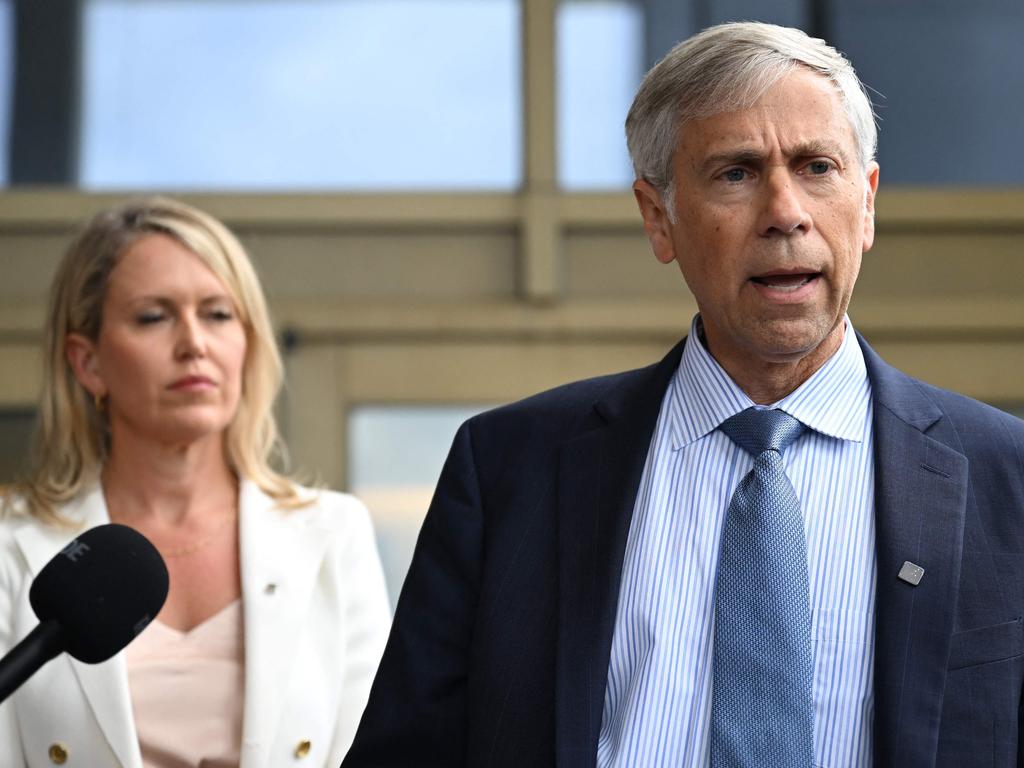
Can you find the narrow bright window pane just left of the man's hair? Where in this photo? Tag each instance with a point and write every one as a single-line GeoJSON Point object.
{"type": "Point", "coordinates": [600, 67]}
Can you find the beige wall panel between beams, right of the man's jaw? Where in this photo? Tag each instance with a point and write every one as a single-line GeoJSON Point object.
{"type": "Point", "coordinates": [930, 263]}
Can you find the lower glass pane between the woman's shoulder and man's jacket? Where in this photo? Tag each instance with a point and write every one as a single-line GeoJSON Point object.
{"type": "Point", "coordinates": [397, 454]}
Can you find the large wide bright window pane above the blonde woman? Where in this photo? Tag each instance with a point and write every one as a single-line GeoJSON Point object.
{"type": "Point", "coordinates": [312, 95]}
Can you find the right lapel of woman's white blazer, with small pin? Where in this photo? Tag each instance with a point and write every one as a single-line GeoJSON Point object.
{"type": "Point", "coordinates": [281, 559]}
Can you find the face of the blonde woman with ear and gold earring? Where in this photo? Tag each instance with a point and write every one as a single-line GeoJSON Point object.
{"type": "Point", "coordinates": [172, 351]}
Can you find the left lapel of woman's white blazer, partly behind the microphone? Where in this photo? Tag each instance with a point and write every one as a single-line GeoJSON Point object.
{"type": "Point", "coordinates": [105, 686]}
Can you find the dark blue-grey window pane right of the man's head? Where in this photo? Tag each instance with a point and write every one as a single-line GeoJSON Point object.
{"type": "Point", "coordinates": [951, 76]}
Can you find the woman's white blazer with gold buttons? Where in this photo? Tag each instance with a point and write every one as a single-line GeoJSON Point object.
{"type": "Point", "coordinates": [316, 617]}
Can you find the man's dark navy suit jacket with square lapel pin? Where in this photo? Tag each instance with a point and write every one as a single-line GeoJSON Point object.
{"type": "Point", "coordinates": [500, 649]}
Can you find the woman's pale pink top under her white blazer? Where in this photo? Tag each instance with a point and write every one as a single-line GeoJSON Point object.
{"type": "Point", "coordinates": [187, 692]}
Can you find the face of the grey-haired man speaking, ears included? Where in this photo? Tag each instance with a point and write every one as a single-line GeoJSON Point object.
{"type": "Point", "coordinates": [774, 211]}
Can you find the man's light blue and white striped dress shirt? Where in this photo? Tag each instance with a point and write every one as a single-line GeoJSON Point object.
{"type": "Point", "coordinates": [658, 702]}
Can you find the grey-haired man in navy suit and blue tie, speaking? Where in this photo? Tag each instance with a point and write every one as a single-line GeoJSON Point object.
{"type": "Point", "coordinates": [565, 604]}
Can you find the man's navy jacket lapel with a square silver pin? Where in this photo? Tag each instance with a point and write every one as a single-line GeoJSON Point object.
{"type": "Point", "coordinates": [921, 498]}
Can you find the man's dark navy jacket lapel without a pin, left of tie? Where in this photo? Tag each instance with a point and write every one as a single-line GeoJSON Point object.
{"type": "Point", "coordinates": [600, 475]}
